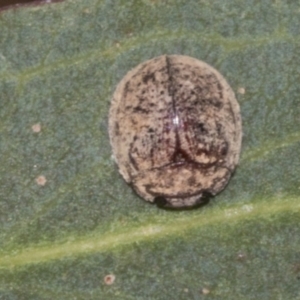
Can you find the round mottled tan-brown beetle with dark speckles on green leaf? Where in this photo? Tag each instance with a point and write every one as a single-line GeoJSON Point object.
{"type": "Point", "coordinates": [175, 130]}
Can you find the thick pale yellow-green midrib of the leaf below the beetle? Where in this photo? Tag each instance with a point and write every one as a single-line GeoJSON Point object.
{"type": "Point", "coordinates": [152, 230]}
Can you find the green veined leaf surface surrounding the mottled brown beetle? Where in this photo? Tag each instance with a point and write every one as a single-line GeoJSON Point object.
{"type": "Point", "coordinates": [68, 219]}
